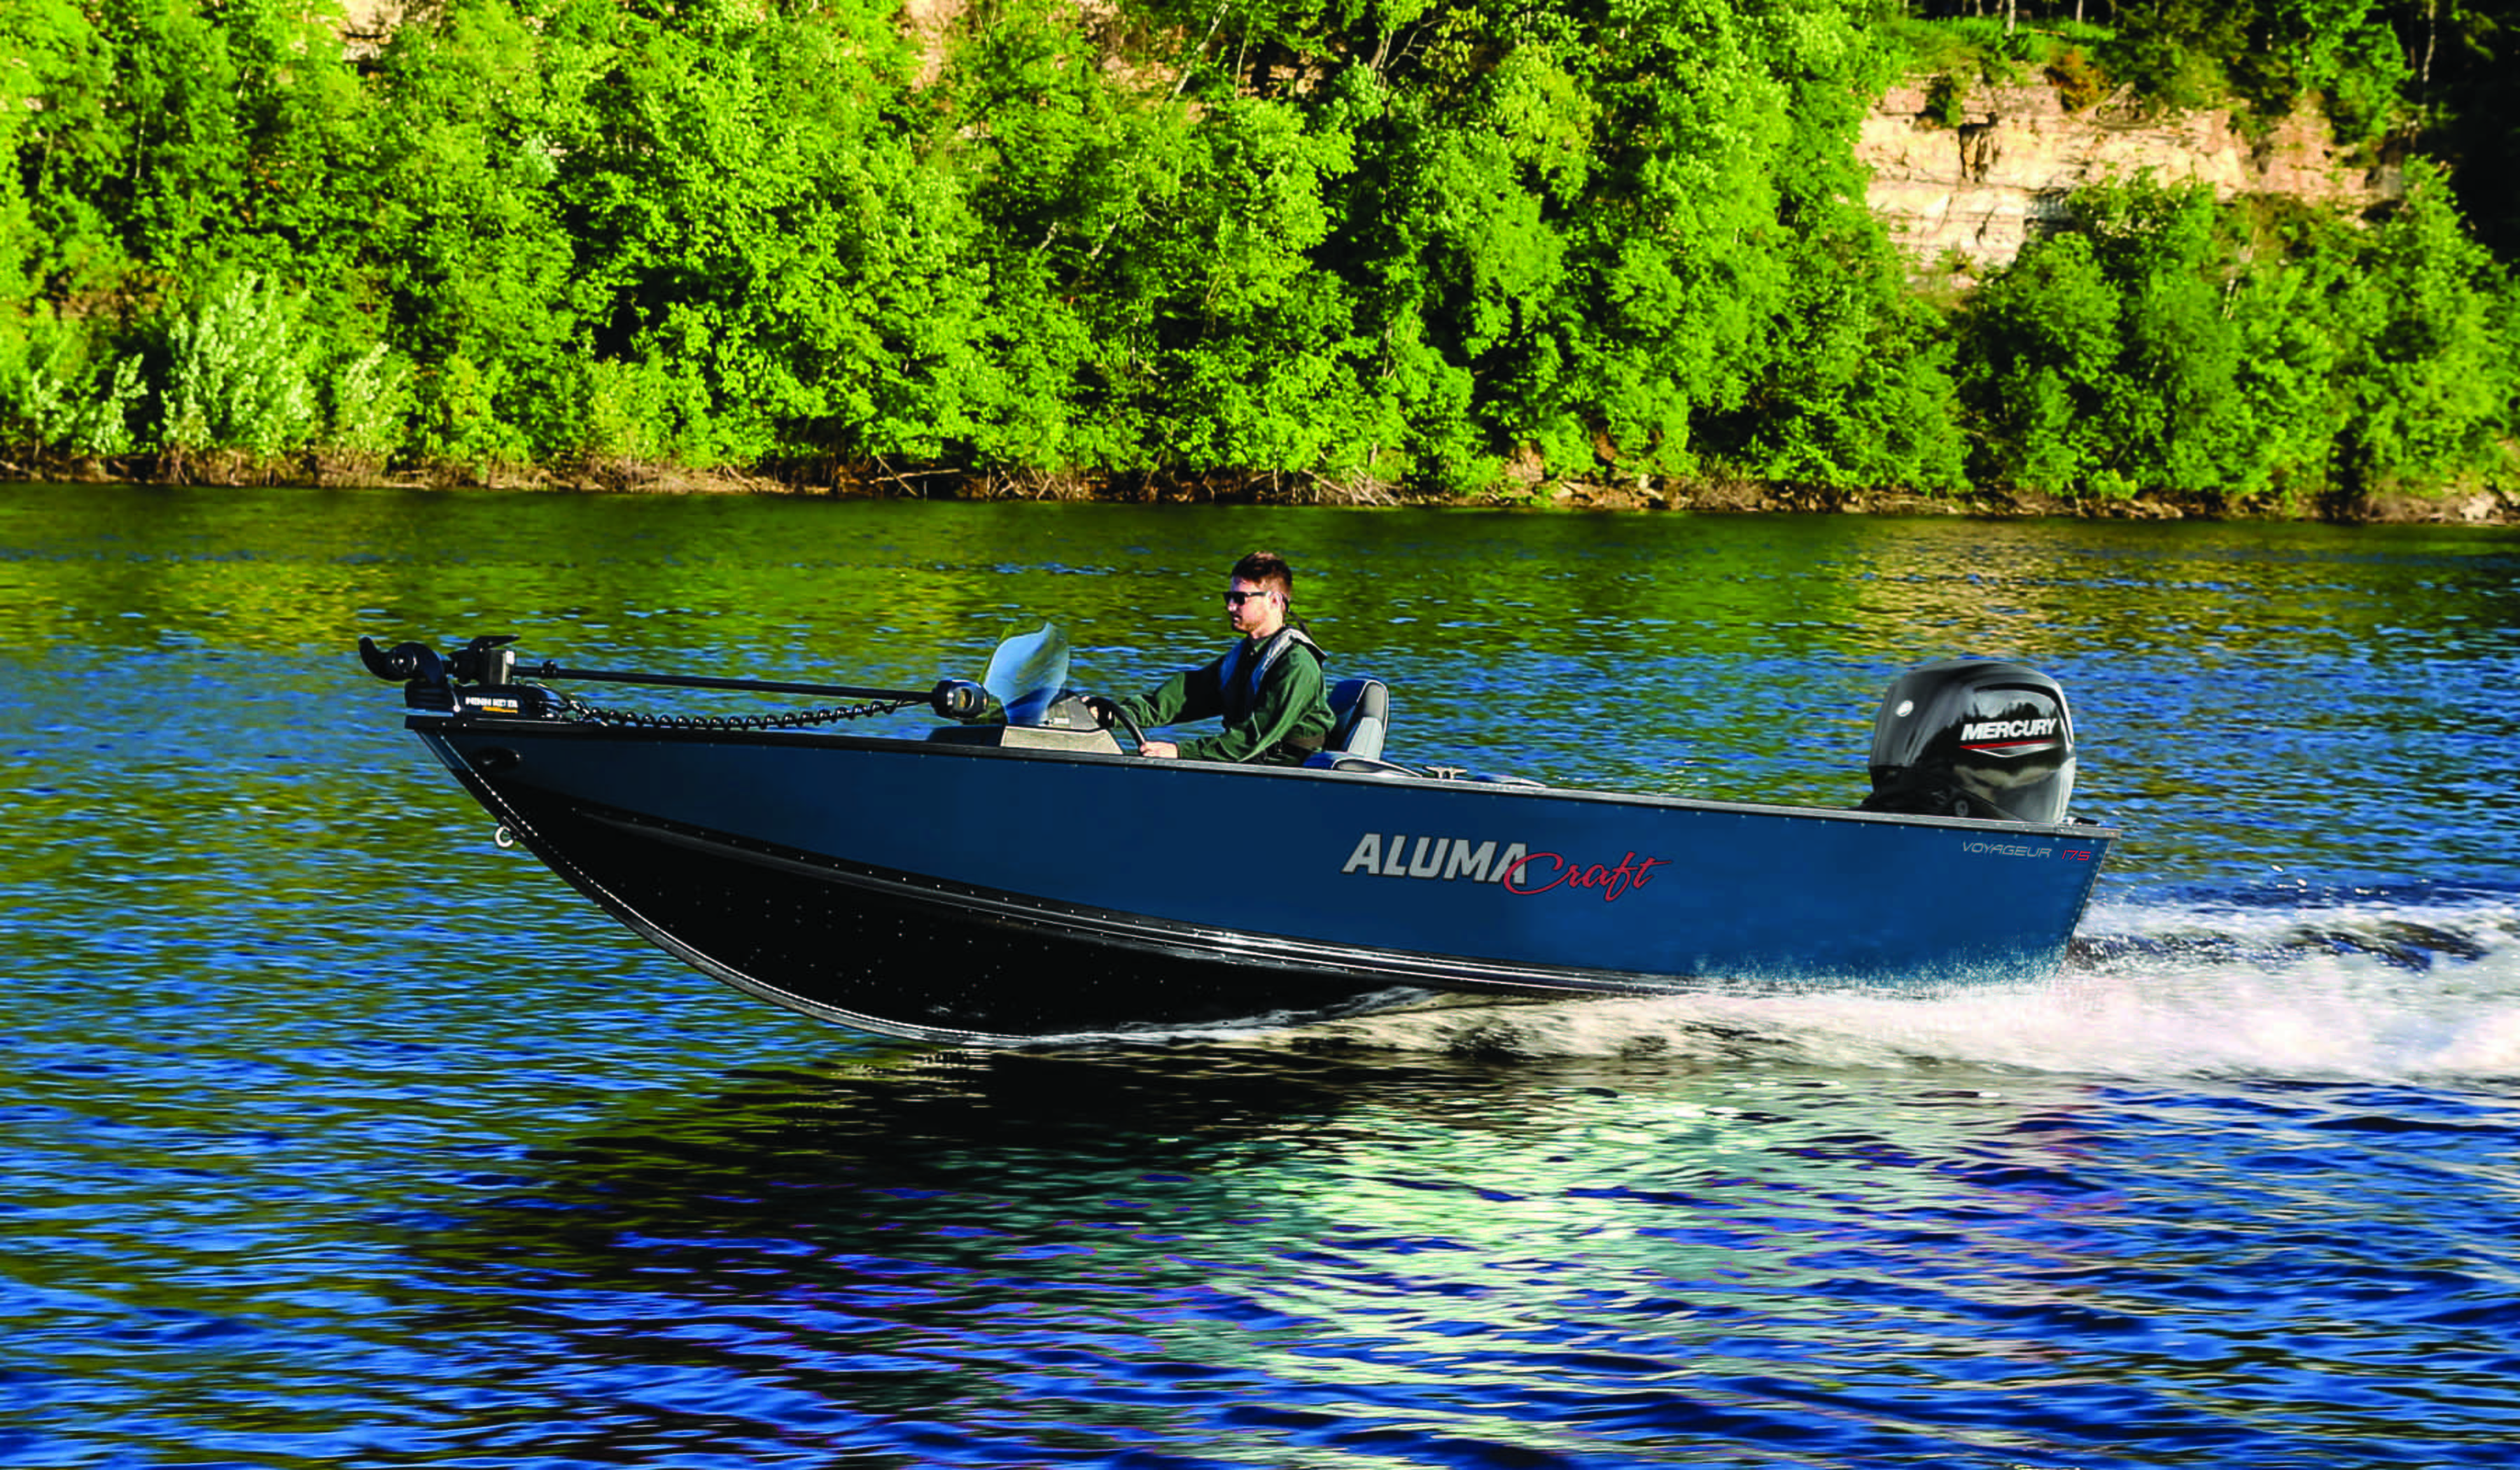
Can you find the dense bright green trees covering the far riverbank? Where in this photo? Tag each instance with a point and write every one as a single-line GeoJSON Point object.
{"type": "Point", "coordinates": [1299, 243]}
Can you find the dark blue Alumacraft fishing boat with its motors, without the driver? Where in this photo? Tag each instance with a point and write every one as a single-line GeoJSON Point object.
{"type": "Point", "coordinates": [1019, 874]}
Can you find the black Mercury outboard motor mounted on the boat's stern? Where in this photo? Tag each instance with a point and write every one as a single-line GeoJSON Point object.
{"type": "Point", "coordinates": [1974, 740]}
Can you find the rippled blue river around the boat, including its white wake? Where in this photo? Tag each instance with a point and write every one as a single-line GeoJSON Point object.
{"type": "Point", "coordinates": [339, 1136]}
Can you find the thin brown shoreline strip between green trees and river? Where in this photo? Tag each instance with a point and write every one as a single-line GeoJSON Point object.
{"type": "Point", "coordinates": [825, 480]}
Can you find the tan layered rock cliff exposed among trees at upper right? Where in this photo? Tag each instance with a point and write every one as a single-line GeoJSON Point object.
{"type": "Point", "coordinates": [1979, 190]}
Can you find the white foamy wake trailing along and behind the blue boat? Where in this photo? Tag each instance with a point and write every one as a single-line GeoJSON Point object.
{"type": "Point", "coordinates": [2420, 987]}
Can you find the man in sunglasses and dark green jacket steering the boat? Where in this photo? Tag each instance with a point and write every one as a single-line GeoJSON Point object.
{"type": "Point", "coordinates": [1269, 687]}
